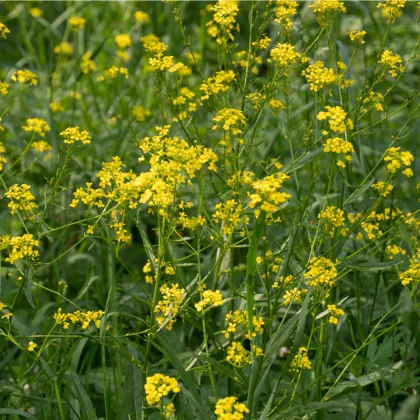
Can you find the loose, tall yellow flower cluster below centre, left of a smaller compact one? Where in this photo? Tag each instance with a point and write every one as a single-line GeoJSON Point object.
{"type": "Point", "coordinates": [168, 308]}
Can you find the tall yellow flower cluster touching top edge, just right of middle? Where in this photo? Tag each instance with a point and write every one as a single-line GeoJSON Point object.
{"type": "Point", "coordinates": [224, 20]}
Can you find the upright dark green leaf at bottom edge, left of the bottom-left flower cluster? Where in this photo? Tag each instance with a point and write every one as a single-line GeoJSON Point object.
{"type": "Point", "coordinates": [132, 402]}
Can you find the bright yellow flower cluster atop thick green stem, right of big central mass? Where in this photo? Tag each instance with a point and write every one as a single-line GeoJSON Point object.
{"type": "Point", "coordinates": [267, 193]}
